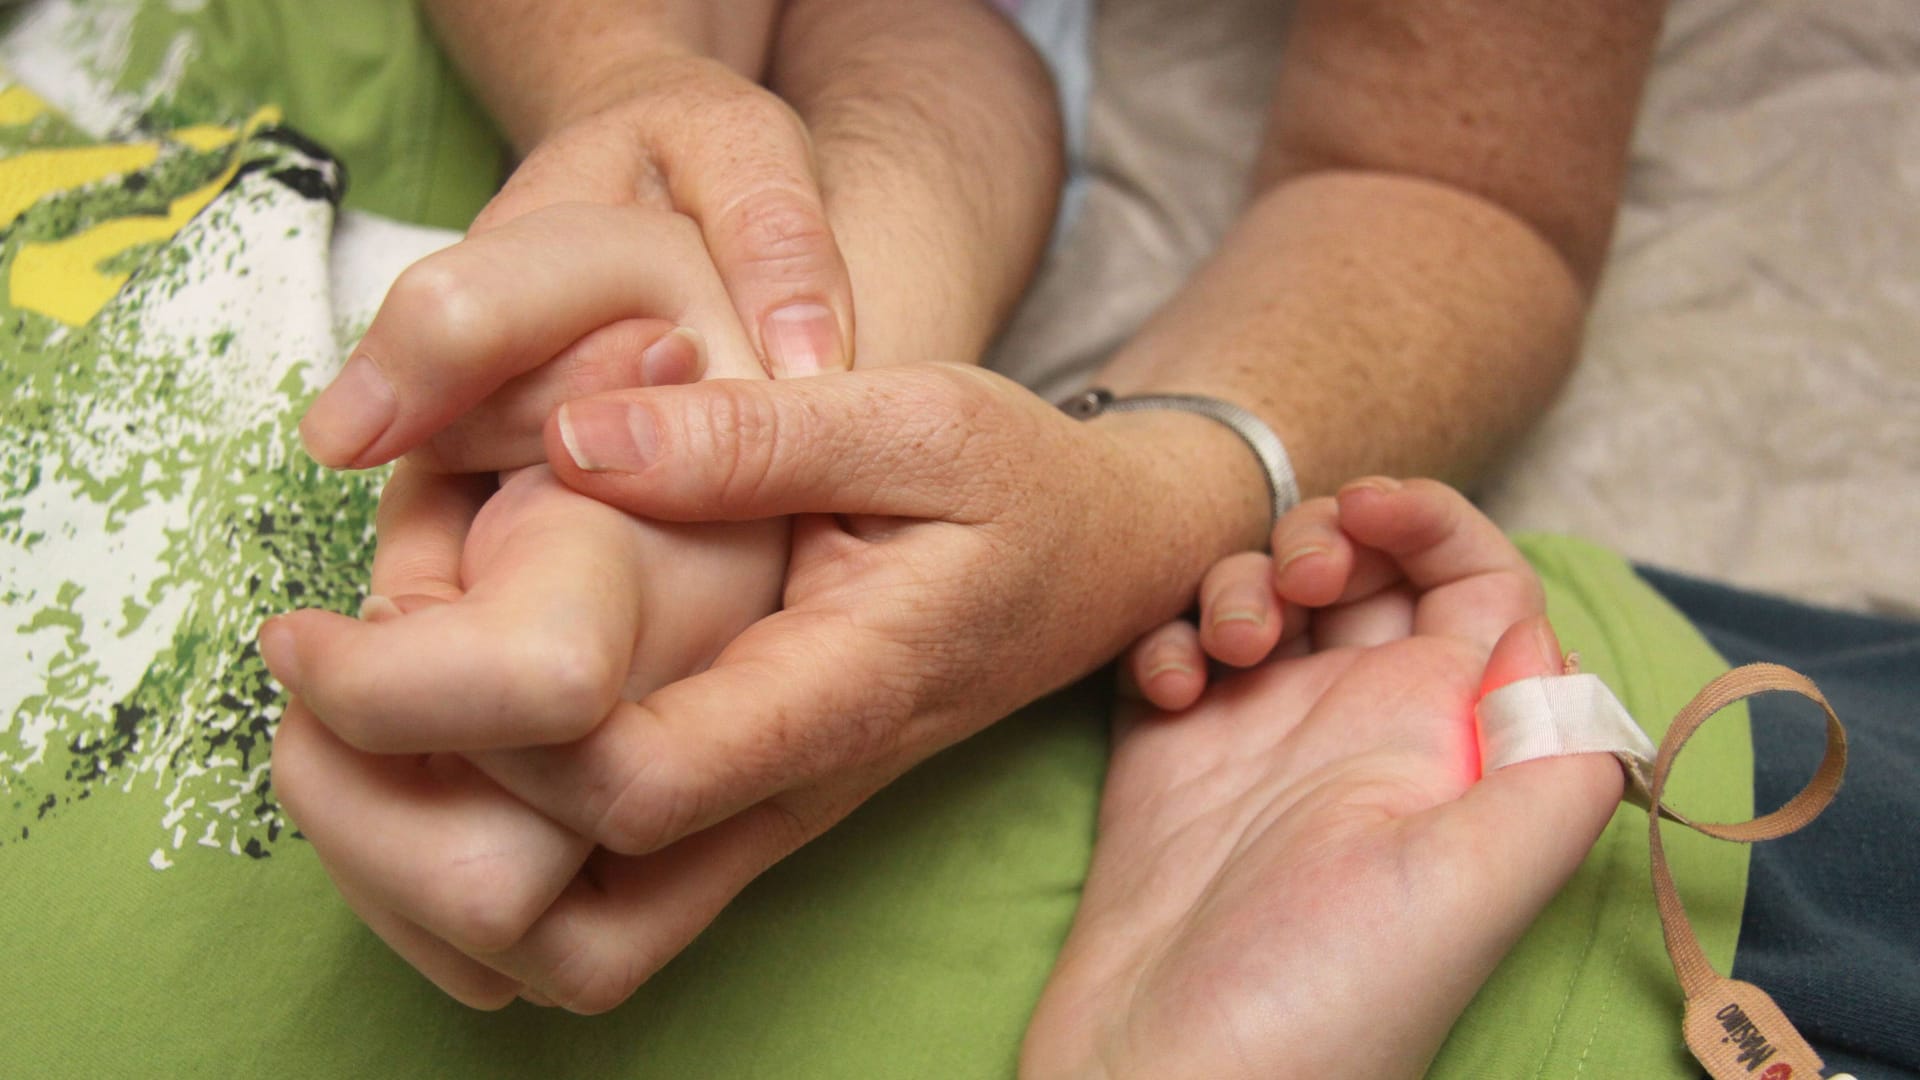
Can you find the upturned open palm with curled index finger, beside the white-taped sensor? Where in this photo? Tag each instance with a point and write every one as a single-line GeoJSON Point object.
{"type": "Point", "coordinates": [1316, 839]}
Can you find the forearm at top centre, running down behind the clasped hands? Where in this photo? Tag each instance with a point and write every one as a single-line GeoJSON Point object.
{"type": "Point", "coordinates": [938, 143]}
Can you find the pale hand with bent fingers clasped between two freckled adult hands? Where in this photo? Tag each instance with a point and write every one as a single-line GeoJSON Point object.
{"type": "Point", "coordinates": [512, 620]}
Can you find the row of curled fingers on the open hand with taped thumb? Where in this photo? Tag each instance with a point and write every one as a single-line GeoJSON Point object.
{"type": "Point", "coordinates": [1333, 579]}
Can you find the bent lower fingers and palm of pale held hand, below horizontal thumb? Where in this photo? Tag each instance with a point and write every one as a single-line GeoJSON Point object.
{"type": "Point", "coordinates": [519, 629]}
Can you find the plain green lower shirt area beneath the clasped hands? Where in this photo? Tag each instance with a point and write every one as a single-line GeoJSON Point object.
{"type": "Point", "coordinates": [909, 943]}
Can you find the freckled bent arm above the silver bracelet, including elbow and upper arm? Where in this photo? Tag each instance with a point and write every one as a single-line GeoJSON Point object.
{"type": "Point", "coordinates": [1406, 289]}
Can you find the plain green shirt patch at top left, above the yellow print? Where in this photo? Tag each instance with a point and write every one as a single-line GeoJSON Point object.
{"type": "Point", "coordinates": [362, 78]}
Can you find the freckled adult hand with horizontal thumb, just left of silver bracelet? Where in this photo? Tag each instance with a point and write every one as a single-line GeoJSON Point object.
{"type": "Point", "coordinates": [963, 551]}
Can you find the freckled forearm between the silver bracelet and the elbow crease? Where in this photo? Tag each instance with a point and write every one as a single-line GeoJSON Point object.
{"type": "Point", "coordinates": [1378, 324]}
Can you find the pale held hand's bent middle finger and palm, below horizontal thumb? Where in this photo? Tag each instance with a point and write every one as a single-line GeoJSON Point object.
{"type": "Point", "coordinates": [525, 627]}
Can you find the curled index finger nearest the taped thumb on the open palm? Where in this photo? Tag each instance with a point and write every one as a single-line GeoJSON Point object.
{"type": "Point", "coordinates": [1474, 581]}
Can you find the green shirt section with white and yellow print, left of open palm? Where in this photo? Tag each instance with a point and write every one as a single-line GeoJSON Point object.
{"type": "Point", "coordinates": [162, 920]}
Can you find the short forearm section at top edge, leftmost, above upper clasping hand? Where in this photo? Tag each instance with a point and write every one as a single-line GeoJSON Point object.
{"type": "Point", "coordinates": [539, 64]}
